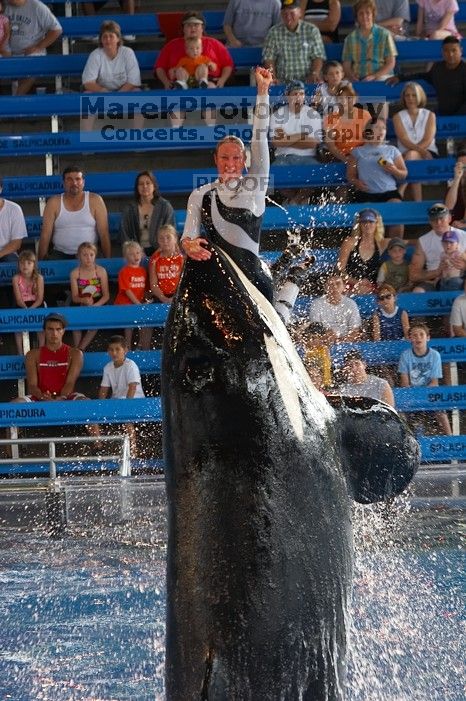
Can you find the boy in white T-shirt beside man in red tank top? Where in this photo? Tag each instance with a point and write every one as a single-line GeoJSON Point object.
{"type": "Point", "coordinates": [122, 379]}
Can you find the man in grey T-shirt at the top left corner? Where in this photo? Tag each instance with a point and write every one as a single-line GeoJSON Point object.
{"type": "Point", "coordinates": [33, 29]}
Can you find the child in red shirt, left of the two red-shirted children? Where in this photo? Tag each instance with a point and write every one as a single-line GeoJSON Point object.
{"type": "Point", "coordinates": [132, 281]}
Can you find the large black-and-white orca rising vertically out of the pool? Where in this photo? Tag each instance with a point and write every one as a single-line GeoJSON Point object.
{"type": "Point", "coordinates": [260, 473]}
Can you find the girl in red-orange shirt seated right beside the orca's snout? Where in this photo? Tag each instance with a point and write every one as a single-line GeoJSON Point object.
{"type": "Point", "coordinates": [165, 265]}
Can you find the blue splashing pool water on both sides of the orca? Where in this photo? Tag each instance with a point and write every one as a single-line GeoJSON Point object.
{"type": "Point", "coordinates": [82, 617]}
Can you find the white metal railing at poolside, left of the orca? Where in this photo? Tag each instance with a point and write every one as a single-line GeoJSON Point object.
{"type": "Point", "coordinates": [123, 458]}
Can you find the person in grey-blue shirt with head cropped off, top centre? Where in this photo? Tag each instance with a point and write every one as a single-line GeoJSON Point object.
{"type": "Point", "coordinates": [247, 22]}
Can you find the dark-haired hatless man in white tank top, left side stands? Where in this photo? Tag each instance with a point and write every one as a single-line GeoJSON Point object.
{"type": "Point", "coordinates": [73, 218]}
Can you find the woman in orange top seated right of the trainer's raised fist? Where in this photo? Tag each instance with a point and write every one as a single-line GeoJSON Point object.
{"type": "Point", "coordinates": [344, 128]}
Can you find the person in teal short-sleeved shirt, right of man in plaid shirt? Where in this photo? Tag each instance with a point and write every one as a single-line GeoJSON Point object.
{"type": "Point", "coordinates": [369, 52]}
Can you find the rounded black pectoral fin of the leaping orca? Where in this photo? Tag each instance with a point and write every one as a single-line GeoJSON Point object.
{"type": "Point", "coordinates": [379, 453]}
